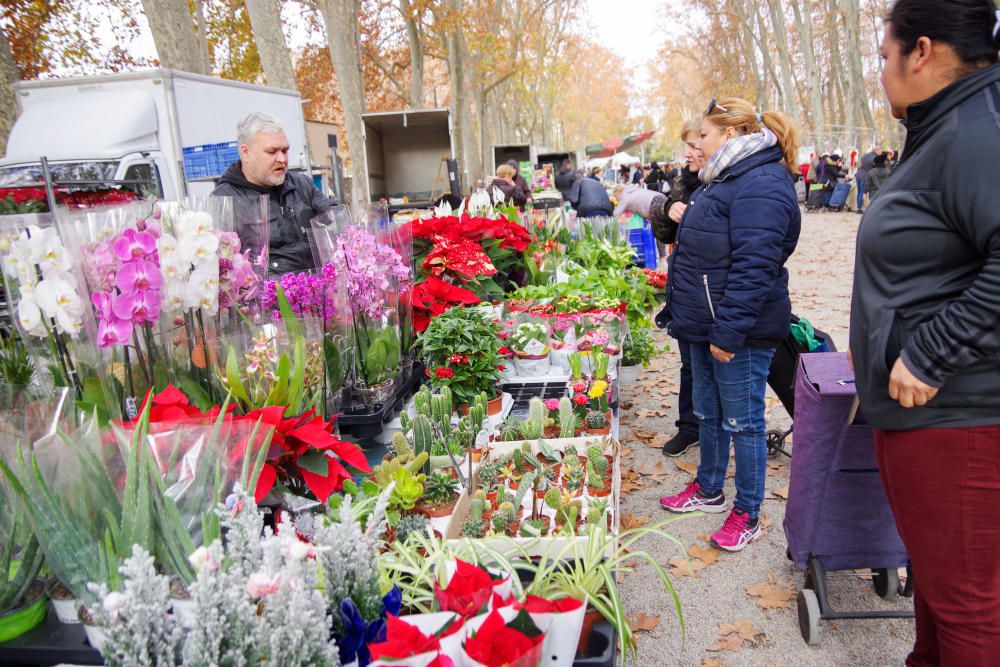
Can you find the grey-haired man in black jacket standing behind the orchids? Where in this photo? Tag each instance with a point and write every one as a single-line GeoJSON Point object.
{"type": "Point", "coordinates": [292, 201]}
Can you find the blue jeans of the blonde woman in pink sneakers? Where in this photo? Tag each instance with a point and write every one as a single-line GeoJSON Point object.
{"type": "Point", "coordinates": [729, 402]}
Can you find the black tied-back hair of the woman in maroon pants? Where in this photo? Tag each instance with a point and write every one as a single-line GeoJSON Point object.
{"type": "Point", "coordinates": [967, 26]}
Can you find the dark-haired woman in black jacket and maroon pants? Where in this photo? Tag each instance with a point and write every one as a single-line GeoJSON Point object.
{"type": "Point", "coordinates": [924, 336]}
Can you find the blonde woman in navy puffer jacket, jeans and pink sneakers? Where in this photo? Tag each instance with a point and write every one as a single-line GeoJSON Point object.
{"type": "Point", "coordinates": [728, 297]}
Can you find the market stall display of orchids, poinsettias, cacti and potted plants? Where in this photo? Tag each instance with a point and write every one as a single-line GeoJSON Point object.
{"type": "Point", "coordinates": [409, 455]}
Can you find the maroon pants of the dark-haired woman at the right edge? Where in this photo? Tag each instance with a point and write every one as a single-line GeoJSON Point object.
{"type": "Point", "coordinates": [944, 489]}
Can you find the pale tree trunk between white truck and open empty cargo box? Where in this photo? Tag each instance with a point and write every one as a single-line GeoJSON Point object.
{"type": "Point", "coordinates": [343, 38]}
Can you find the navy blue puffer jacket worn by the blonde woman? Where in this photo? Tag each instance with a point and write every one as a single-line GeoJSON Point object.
{"type": "Point", "coordinates": [727, 279]}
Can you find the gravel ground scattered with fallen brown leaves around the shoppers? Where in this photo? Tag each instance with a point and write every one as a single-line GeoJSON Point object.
{"type": "Point", "coordinates": [821, 288]}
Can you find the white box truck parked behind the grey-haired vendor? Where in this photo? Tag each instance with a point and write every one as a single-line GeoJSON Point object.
{"type": "Point", "coordinates": [172, 131]}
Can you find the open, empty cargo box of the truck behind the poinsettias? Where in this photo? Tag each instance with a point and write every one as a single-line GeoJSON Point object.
{"type": "Point", "coordinates": [410, 157]}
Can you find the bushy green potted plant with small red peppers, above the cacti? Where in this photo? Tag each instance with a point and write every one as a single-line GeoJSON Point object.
{"type": "Point", "coordinates": [460, 350]}
